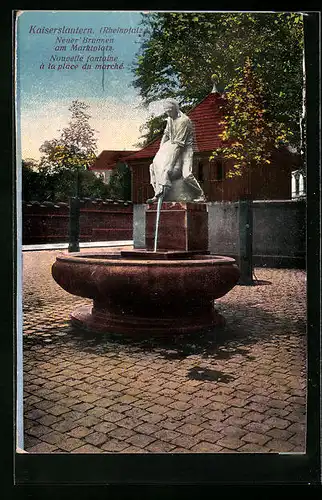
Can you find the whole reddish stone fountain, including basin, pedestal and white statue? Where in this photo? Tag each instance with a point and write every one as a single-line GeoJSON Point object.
{"type": "Point", "coordinates": [167, 288]}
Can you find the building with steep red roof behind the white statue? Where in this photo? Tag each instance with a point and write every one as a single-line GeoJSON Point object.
{"type": "Point", "coordinates": [268, 182]}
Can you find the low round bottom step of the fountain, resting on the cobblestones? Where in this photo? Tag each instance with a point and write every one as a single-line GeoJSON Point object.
{"type": "Point", "coordinates": [103, 321]}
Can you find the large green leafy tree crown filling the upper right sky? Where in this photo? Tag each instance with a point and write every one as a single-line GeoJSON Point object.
{"type": "Point", "coordinates": [182, 52]}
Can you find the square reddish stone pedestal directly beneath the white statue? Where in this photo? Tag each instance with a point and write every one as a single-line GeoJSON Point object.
{"type": "Point", "coordinates": [183, 226]}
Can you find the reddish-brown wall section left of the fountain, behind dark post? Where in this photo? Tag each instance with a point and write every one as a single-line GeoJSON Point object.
{"type": "Point", "coordinates": [100, 220]}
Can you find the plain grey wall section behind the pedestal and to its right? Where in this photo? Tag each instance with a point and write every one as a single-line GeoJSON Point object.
{"type": "Point", "coordinates": [279, 231]}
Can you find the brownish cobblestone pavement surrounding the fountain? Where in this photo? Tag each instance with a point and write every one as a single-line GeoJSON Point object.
{"type": "Point", "coordinates": [240, 388]}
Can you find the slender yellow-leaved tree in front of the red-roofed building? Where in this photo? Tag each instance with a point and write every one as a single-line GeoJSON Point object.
{"type": "Point", "coordinates": [246, 119]}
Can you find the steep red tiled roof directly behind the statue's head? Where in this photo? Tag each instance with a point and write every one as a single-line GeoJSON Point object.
{"type": "Point", "coordinates": [205, 117]}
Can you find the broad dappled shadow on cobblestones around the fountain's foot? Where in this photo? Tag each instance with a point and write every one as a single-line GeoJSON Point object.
{"type": "Point", "coordinates": [244, 327]}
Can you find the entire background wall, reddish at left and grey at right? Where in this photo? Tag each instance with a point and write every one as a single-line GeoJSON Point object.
{"type": "Point", "coordinates": [279, 235]}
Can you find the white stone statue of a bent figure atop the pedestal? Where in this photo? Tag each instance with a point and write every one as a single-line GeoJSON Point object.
{"type": "Point", "coordinates": [174, 158]}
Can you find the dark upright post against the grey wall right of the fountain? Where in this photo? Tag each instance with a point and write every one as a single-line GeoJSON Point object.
{"type": "Point", "coordinates": [245, 225]}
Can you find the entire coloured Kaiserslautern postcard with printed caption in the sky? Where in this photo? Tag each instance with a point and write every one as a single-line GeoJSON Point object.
{"type": "Point", "coordinates": [161, 201]}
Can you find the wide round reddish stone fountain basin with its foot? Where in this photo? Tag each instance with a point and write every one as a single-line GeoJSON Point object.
{"type": "Point", "coordinates": [164, 292]}
